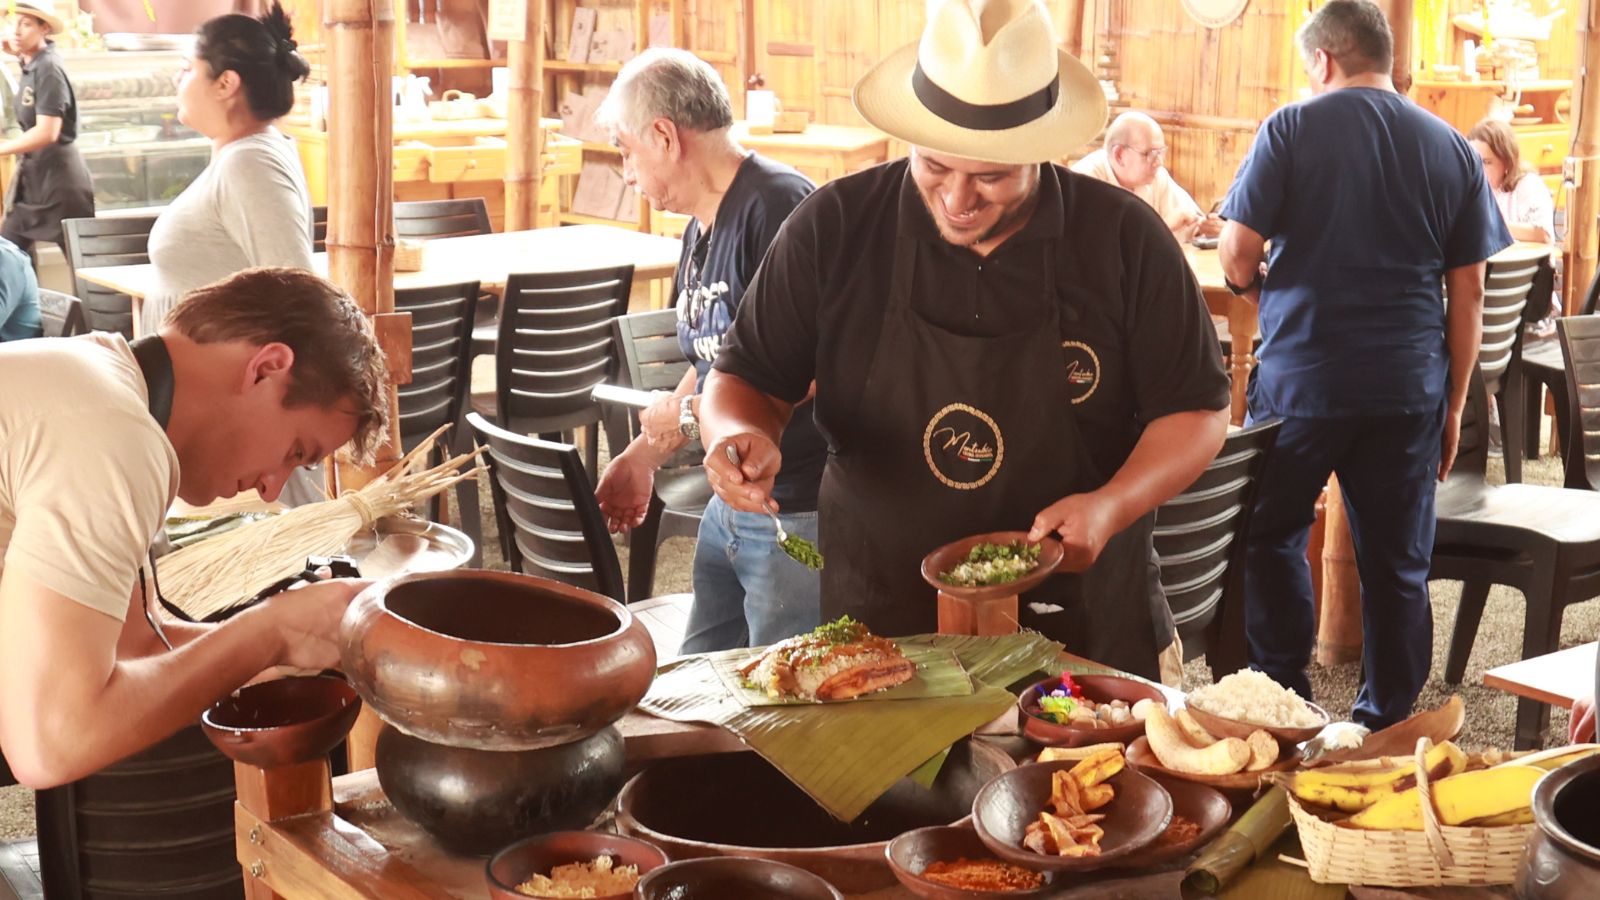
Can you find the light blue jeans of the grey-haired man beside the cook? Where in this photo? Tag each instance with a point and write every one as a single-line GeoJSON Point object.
{"type": "Point", "coordinates": [748, 592]}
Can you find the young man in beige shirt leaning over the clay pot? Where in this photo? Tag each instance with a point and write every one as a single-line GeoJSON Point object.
{"type": "Point", "coordinates": [246, 382]}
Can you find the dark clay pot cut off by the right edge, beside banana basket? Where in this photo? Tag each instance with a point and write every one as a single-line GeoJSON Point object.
{"type": "Point", "coordinates": [1562, 861]}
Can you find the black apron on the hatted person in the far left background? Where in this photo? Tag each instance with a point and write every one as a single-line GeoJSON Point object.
{"type": "Point", "coordinates": [50, 185]}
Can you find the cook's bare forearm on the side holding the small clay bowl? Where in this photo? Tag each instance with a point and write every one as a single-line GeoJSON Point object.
{"type": "Point", "coordinates": [1169, 457]}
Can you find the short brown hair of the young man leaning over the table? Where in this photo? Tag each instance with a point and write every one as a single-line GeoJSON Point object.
{"type": "Point", "coordinates": [337, 358]}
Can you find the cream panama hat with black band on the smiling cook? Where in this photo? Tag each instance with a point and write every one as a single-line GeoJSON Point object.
{"type": "Point", "coordinates": [986, 82]}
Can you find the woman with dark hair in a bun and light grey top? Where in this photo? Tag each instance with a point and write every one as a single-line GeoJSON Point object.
{"type": "Point", "coordinates": [250, 207]}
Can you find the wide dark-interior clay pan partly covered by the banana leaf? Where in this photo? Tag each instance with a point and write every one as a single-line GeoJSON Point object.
{"type": "Point", "coordinates": [737, 805]}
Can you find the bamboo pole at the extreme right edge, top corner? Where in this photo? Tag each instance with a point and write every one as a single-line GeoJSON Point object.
{"type": "Point", "coordinates": [1585, 171]}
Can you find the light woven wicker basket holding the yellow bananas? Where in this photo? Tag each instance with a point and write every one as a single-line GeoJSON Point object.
{"type": "Point", "coordinates": [1438, 856]}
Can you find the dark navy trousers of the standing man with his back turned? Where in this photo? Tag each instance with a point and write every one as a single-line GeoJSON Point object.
{"type": "Point", "coordinates": [1386, 468]}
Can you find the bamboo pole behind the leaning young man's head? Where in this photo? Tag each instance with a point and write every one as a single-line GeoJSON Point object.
{"type": "Point", "coordinates": [361, 215]}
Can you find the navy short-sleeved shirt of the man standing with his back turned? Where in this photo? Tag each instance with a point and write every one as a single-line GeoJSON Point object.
{"type": "Point", "coordinates": [1367, 201]}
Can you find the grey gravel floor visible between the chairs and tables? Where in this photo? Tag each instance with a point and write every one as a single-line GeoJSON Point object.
{"type": "Point", "coordinates": [1490, 713]}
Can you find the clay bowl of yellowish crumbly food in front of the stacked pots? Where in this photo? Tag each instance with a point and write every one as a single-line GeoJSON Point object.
{"type": "Point", "coordinates": [572, 861]}
